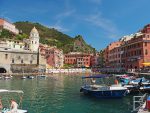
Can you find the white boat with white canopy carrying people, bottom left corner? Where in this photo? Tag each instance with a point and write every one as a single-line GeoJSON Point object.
{"type": "Point", "coordinates": [7, 108]}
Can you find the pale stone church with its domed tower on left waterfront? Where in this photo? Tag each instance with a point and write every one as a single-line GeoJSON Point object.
{"type": "Point", "coordinates": [15, 53]}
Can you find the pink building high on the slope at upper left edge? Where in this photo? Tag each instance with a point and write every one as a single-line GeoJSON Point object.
{"type": "Point", "coordinates": [8, 26]}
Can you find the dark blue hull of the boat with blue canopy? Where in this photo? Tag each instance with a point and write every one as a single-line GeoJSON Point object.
{"type": "Point", "coordinates": [104, 94]}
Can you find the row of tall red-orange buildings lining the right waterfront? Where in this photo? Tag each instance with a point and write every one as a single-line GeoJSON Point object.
{"type": "Point", "coordinates": [130, 52]}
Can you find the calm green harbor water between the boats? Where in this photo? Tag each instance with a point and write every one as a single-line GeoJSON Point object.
{"type": "Point", "coordinates": [61, 94]}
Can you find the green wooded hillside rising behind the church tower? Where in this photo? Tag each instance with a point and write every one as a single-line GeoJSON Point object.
{"type": "Point", "coordinates": [53, 37]}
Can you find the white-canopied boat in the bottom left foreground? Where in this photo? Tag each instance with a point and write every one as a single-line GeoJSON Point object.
{"type": "Point", "coordinates": [5, 92]}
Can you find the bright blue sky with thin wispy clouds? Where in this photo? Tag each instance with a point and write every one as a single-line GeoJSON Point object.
{"type": "Point", "coordinates": [98, 21]}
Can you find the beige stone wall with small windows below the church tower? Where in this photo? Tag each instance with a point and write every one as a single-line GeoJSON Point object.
{"type": "Point", "coordinates": [9, 58]}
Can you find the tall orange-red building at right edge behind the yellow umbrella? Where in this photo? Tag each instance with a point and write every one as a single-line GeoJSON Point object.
{"type": "Point", "coordinates": [136, 50]}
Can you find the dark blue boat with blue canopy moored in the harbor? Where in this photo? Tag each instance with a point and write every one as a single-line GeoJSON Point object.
{"type": "Point", "coordinates": [102, 91]}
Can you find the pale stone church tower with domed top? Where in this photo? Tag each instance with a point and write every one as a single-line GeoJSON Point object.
{"type": "Point", "coordinates": [34, 40]}
